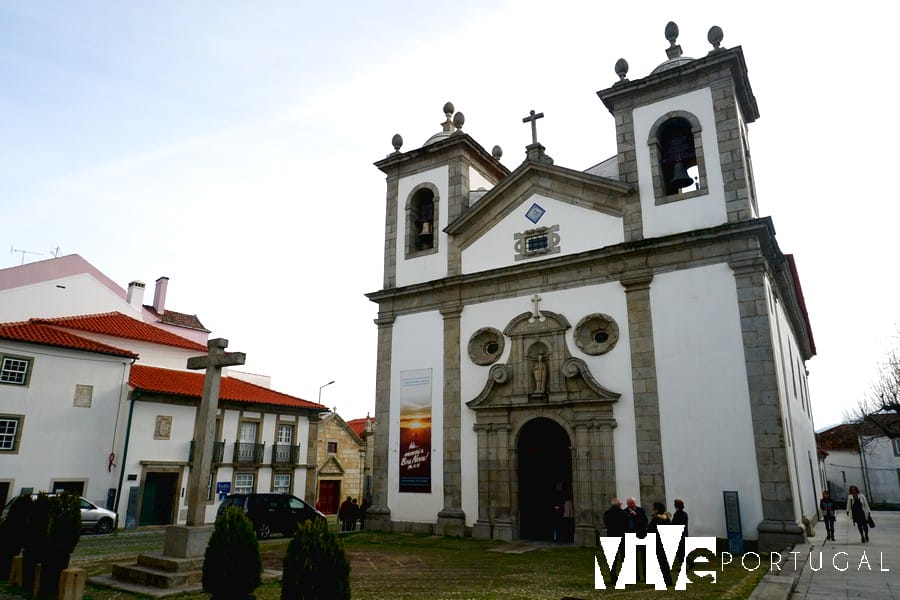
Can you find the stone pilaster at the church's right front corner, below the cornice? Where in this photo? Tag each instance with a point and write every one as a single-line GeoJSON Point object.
{"type": "Point", "coordinates": [779, 527]}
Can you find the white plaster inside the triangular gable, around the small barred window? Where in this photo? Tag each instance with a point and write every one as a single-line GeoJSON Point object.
{"type": "Point", "coordinates": [579, 229]}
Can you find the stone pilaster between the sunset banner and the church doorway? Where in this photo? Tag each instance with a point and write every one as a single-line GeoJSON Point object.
{"type": "Point", "coordinates": [451, 519]}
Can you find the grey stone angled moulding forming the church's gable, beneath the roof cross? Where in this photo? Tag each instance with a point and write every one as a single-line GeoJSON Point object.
{"type": "Point", "coordinates": [591, 192]}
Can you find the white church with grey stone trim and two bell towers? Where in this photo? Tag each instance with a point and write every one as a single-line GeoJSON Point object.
{"type": "Point", "coordinates": [549, 335]}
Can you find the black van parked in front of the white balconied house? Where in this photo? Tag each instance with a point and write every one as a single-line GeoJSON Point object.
{"type": "Point", "coordinates": [272, 512]}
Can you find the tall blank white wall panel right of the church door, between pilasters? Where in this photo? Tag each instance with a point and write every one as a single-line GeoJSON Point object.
{"type": "Point", "coordinates": [704, 404]}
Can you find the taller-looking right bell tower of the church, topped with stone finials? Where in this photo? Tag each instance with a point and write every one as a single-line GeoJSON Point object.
{"type": "Point", "coordinates": [682, 138]}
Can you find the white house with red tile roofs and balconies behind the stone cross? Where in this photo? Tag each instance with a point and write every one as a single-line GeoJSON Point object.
{"type": "Point", "coordinates": [143, 425]}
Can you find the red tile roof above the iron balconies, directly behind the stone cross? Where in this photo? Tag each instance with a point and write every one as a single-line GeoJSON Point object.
{"type": "Point", "coordinates": [185, 383]}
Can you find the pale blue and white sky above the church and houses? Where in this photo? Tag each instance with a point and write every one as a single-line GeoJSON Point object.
{"type": "Point", "coordinates": [229, 146]}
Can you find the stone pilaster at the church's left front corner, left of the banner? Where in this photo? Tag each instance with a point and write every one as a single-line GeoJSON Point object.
{"type": "Point", "coordinates": [378, 516]}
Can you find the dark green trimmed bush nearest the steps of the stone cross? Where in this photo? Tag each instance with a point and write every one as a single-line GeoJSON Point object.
{"type": "Point", "coordinates": [232, 565]}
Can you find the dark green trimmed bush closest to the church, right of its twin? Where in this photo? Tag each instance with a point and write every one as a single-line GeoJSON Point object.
{"type": "Point", "coordinates": [315, 566]}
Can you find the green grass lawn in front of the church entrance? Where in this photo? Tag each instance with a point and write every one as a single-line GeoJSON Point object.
{"type": "Point", "coordinates": [405, 566]}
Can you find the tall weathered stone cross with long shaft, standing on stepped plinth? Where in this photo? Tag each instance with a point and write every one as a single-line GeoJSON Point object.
{"type": "Point", "coordinates": [205, 425]}
